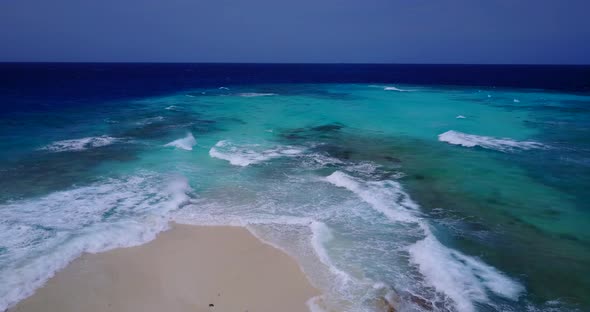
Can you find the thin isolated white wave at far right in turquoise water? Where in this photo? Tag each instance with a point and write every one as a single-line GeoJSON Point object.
{"type": "Point", "coordinates": [503, 144]}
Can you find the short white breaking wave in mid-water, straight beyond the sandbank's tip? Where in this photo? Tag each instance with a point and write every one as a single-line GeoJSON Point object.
{"type": "Point", "coordinates": [244, 155]}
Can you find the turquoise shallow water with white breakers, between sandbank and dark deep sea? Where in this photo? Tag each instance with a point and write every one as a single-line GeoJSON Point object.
{"type": "Point", "coordinates": [433, 198]}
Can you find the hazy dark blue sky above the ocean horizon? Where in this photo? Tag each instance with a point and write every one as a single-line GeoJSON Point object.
{"type": "Point", "coordinates": [297, 31]}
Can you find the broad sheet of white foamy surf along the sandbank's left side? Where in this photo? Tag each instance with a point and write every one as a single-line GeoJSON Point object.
{"type": "Point", "coordinates": [43, 235]}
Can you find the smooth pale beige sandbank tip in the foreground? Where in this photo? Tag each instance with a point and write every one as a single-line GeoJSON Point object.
{"type": "Point", "coordinates": [187, 268]}
